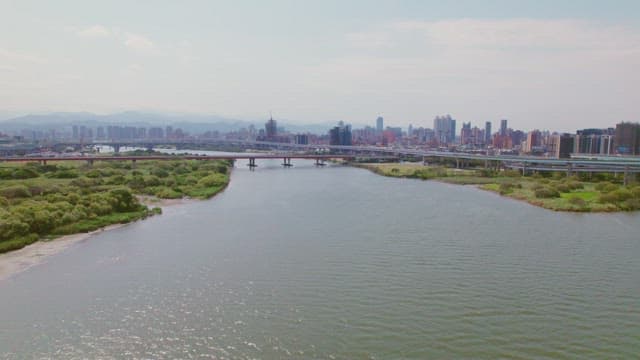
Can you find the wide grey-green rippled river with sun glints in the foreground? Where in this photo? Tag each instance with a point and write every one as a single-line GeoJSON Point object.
{"type": "Point", "coordinates": [336, 263]}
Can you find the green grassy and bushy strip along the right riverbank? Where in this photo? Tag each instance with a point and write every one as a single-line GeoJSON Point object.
{"type": "Point", "coordinates": [554, 191]}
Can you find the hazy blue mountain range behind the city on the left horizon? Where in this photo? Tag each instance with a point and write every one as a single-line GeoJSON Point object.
{"type": "Point", "coordinates": [188, 122]}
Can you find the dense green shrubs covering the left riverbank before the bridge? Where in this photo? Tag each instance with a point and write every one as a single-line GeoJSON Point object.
{"type": "Point", "coordinates": [63, 197]}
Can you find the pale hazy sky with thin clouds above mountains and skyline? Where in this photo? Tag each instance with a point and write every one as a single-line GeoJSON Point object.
{"type": "Point", "coordinates": [541, 64]}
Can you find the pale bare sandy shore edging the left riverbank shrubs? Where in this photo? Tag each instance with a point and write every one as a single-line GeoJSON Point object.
{"type": "Point", "coordinates": [17, 261]}
